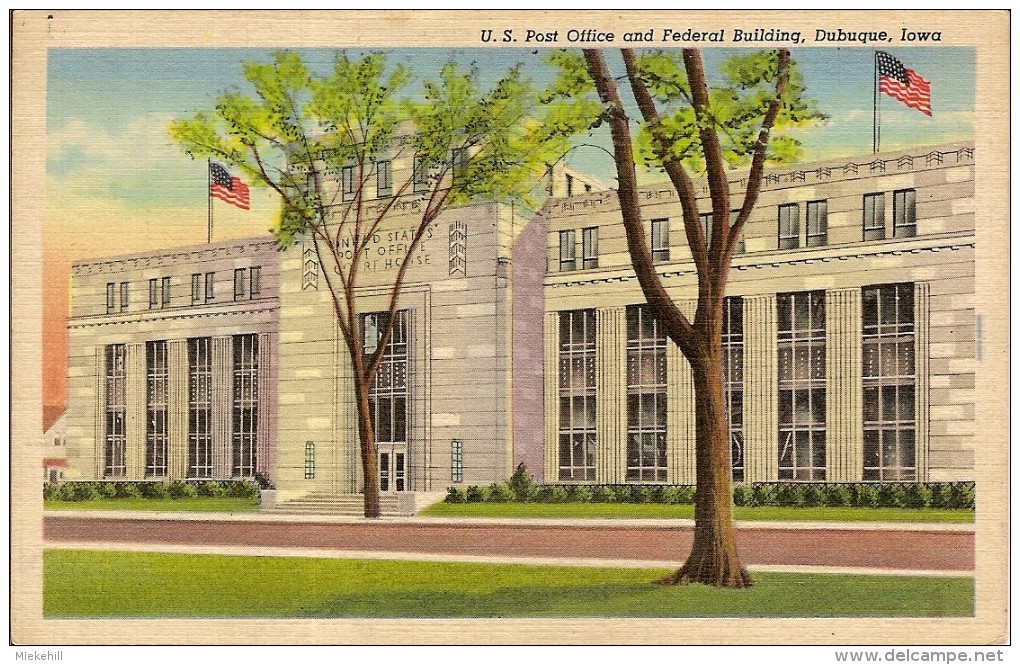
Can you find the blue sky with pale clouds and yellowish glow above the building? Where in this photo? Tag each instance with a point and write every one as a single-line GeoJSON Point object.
{"type": "Point", "coordinates": [108, 112]}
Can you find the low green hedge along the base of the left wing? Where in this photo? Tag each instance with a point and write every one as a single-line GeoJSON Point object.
{"type": "Point", "coordinates": [93, 490]}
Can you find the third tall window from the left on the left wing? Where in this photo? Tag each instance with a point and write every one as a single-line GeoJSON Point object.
{"type": "Point", "coordinates": [200, 407]}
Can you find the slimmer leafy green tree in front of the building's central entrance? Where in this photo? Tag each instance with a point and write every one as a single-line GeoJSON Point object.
{"type": "Point", "coordinates": [317, 141]}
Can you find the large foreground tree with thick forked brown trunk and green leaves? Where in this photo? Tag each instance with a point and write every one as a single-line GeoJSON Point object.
{"type": "Point", "coordinates": [688, 126]}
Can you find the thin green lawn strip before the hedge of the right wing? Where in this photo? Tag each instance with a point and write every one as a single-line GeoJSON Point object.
{"type": "Point", "coordinates": [621, 511]}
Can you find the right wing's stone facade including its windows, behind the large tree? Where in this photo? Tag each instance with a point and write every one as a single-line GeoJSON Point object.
{"type": "Point", "coordinates": [849, 333]}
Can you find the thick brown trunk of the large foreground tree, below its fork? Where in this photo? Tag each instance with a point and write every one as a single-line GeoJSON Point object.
{"type": "Point", "coordinates": [713, 558]}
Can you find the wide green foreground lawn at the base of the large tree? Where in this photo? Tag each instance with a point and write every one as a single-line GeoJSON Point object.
{"type": "Point", "coordinates": [91, 584]}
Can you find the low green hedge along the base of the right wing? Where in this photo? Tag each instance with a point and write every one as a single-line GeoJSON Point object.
{"type": "Point", "coordinates": [959, 496]}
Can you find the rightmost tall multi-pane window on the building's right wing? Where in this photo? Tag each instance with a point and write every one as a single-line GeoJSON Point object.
{"type": "Point", "coordinates": [889, 378]}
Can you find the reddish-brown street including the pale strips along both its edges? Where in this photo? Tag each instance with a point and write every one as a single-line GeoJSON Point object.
{"type": "Point", "coordinates": [890, 549]}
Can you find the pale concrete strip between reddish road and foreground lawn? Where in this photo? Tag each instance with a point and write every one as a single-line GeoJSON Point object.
{"type": "Point", "coordinates": [316, 553]}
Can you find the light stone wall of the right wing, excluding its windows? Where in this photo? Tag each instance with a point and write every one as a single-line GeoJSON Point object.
{"type": "Point", "coordinates": [940, 262]}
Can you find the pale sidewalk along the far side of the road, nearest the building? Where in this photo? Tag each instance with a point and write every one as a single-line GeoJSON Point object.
{"type": "Point", "coordinates": [599, 524]}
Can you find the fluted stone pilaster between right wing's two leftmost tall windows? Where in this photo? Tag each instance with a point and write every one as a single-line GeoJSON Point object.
{"type": "Point", "coordinates": [611, 395]}
